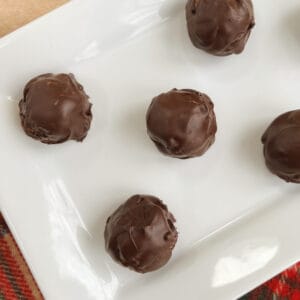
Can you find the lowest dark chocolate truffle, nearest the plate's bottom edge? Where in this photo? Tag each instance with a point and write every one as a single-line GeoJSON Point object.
{"type": "Point", "coordinates": [140, 234]}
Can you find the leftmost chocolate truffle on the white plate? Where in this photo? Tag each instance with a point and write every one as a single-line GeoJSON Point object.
{"type": "Point", "coordinates": [55, 109]}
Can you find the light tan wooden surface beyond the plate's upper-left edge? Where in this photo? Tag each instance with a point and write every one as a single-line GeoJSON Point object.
{"type": "Point", "coordinates": [16, 13]}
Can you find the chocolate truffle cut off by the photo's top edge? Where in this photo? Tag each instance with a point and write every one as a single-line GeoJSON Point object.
{"type": "Point", "coordinates": [220, 27]}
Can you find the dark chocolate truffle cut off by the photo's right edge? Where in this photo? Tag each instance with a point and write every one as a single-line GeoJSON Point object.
{"type": "Point", "coordinates": [282, 146]}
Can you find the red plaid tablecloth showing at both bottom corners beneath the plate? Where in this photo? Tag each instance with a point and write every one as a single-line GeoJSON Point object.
{"type": "Point", "coordinates": [17, 283]}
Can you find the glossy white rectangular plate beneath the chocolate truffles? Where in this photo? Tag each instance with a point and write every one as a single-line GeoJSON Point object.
{"type": "Point", "coordinates": [237, 223]}
